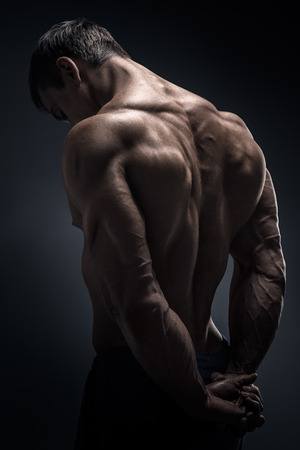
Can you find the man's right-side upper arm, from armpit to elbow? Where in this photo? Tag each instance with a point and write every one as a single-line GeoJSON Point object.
{"type": "Point", "coordinates": [258, 244]}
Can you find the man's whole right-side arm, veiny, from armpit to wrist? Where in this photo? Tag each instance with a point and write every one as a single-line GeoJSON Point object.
{"type": "Point", "coordinates": [258, 284]}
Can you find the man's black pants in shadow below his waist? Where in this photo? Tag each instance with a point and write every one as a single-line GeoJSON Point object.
{"type": "Point", "coordinates": [123, 408]}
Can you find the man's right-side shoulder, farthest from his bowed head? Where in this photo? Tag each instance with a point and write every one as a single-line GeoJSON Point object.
{"type": "Point", "coordinates": [240, 158]}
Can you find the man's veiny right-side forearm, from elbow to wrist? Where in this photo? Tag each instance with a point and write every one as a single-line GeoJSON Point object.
{"type": "Point", "coordinates": [255, 309]}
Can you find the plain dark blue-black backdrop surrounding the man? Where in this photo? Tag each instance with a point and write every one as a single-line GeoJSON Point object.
{"type": "Point", "coordinates": [243, 58]}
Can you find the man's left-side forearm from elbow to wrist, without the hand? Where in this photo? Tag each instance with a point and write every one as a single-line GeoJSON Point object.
{"type": "Point", "coordinates": [160, 341]}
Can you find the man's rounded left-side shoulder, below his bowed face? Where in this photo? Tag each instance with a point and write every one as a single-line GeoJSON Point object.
{"type": "Point", "coordinates": [96, 146]}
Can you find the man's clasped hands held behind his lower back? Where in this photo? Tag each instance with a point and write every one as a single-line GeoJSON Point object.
{"type": "Point", "coordinates": [239, 391]}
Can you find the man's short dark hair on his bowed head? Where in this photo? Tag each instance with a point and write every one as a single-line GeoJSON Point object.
{"type": "Point", "coordinates": [75, 38]}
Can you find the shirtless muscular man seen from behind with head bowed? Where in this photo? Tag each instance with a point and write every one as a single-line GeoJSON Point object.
{"type": "Point", "coordinates": [164, 187]}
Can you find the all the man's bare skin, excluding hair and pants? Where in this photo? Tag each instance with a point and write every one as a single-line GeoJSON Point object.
{"type": "Point", "coordinates": [165, 187]}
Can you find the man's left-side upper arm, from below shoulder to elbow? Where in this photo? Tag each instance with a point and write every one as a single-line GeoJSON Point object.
{"type": "Point", "coordinates": [113, 226]}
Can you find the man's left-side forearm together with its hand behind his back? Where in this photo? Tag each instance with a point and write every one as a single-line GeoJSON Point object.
{"type": "Point", "coordinates": [162, 345]}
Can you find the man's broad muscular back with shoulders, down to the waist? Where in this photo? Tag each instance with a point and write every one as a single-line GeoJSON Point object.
{"type": "Point", "coordinates": [188, 175]}
